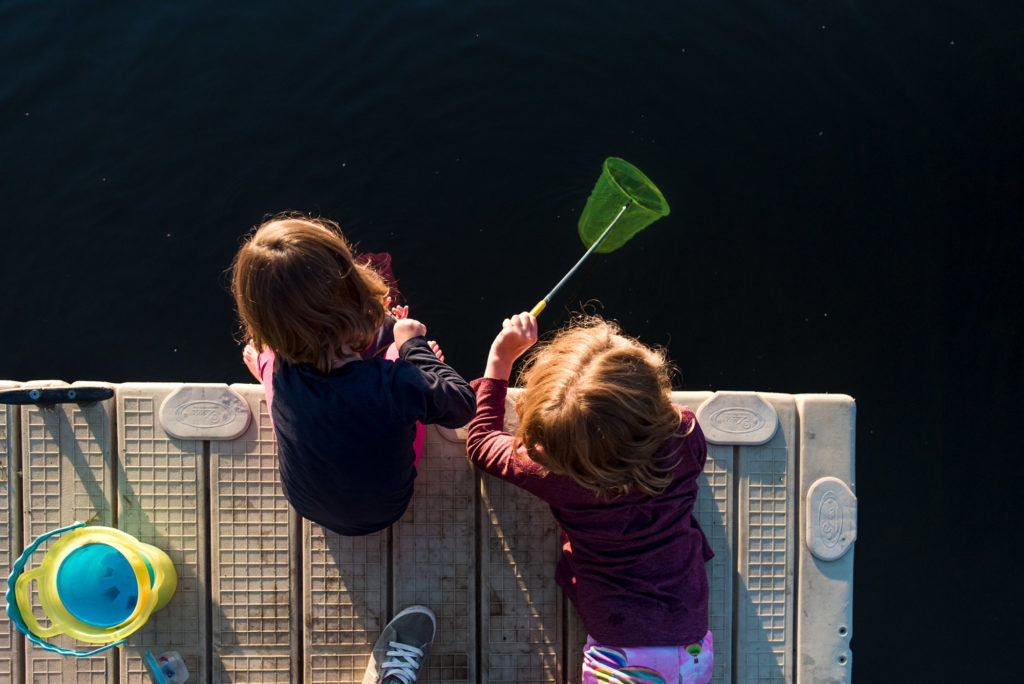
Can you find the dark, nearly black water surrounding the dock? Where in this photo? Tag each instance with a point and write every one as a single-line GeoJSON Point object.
{"type": "Point", "coordinates": [846, 184]}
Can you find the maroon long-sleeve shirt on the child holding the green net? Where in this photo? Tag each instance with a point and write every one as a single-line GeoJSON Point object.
{"type": "Point", "coordinates": [633, 566]}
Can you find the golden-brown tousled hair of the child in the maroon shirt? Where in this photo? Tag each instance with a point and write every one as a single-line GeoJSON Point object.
{"type": "Point", "coordinates": [595, 407]}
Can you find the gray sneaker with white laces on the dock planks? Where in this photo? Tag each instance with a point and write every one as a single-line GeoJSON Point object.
{"type": "Point", "coordinates": [403, 648]}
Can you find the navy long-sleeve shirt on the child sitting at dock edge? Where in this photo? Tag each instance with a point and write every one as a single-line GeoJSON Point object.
{"type": "Point", "coordinates": [346, 439]}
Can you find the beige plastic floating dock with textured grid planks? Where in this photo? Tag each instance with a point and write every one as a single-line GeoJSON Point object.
{"type": "Point", "coordinates": [265, 596]}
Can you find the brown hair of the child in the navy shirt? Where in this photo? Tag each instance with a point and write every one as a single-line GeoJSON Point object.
{"type": "Point", "coordinates": [300, 290]}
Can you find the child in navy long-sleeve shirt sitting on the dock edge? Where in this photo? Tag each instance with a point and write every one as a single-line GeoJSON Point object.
{"type": "Point", "coordinates": [346, 418]}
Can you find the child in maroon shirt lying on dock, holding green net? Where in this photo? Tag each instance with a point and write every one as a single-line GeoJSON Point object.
{"type": "Point", "coordinates": [600, 440]}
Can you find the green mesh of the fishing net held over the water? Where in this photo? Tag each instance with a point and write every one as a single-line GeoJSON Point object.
{"type": "Point", "coordinates": [620, 183]}
